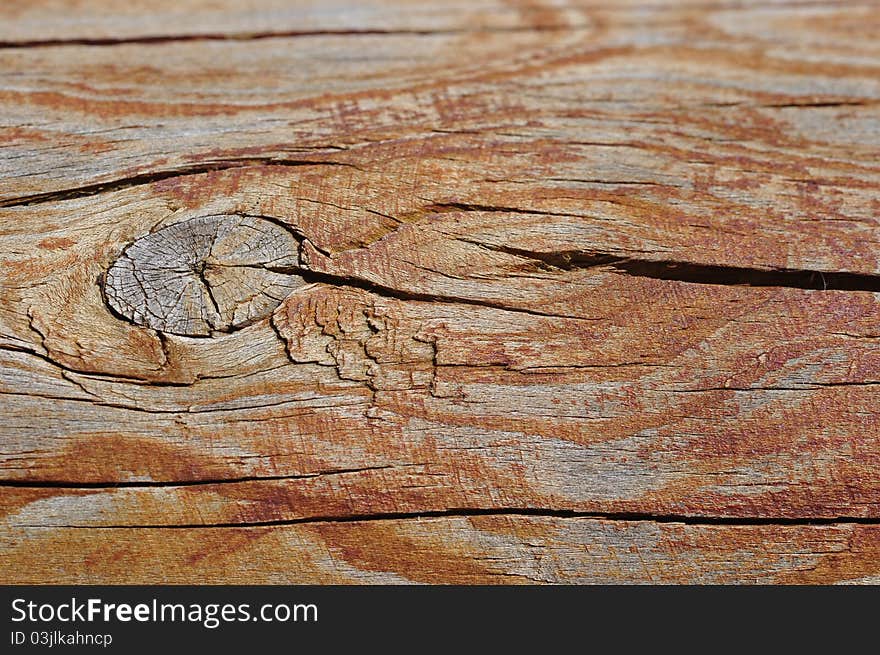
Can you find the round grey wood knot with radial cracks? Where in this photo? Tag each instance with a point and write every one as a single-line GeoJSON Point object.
{"type": "Point", "coordinates": [207, 275]}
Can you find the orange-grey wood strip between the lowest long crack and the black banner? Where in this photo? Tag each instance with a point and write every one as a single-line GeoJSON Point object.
{"type": "Point", "coordinates": [459, 550]}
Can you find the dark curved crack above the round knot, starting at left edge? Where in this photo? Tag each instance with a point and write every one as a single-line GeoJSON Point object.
{"type": "Point", "coordinates": [89, 190]}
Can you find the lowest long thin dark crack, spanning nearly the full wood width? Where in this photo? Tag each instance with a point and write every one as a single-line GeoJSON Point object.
{"type": "Point", "coordinates": [525, 512]}
